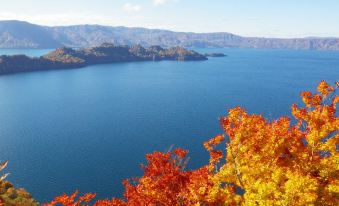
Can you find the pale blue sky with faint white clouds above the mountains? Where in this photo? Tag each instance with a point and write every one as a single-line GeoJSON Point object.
{"type": "Point", "coordinates": [259, 18]}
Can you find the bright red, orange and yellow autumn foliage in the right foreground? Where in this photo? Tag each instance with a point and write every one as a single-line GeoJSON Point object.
{"type": "Point", "coordinates": [266, 163]}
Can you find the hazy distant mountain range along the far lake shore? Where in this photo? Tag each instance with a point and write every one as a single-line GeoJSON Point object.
{"type": "Point", "coordinates": [18, 34]}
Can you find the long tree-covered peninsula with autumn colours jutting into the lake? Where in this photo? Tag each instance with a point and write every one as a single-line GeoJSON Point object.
{"type": "Point", "coordinates": [68, 58]}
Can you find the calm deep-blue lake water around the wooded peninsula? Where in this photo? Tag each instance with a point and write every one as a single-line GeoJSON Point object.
{"type": "Point", "coordinates": [90, 128]}
